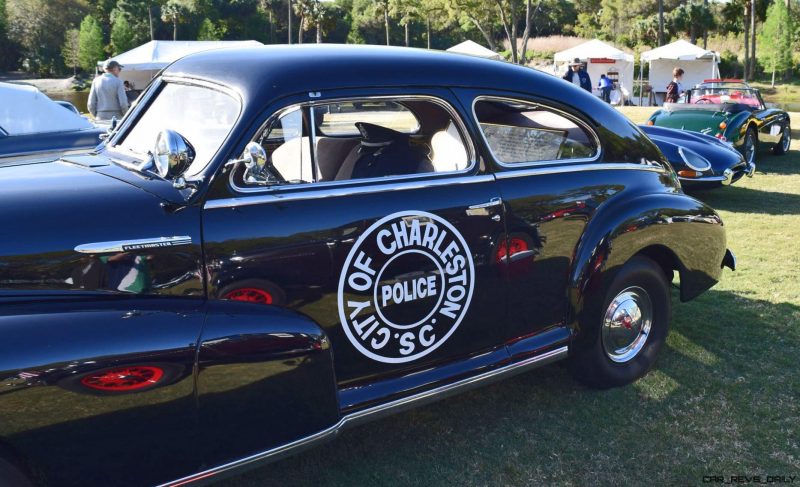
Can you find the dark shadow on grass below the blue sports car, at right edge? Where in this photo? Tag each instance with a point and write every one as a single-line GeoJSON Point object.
{"type": "Point", "coordinates": [746, 200]}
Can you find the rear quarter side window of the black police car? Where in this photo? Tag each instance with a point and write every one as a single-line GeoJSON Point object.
{"type": "Point", "coordinates": [519, 132]}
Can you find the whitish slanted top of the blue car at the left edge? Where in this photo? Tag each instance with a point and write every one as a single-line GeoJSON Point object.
{"type": "Point", "coordinates": [25, 110]}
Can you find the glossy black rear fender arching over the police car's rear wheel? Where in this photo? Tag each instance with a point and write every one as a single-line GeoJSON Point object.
{"type": "Point", "coordinates": [688, 233]}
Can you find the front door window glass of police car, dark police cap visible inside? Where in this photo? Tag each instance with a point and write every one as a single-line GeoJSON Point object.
{"type": "Point", "coordinates": [361, 139]}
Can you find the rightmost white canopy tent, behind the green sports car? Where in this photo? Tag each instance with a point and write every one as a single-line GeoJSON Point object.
{"type": "Point", "coordinates": [697, 63]}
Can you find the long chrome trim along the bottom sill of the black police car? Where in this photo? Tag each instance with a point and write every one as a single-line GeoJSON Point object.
{"type": "Point", "coordinates": [375, 411]}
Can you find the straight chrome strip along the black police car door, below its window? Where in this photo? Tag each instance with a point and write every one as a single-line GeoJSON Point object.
{"type": "Point", "coordinates": [319, 191]}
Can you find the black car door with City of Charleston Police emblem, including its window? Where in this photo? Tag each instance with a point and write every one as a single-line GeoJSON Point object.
{"type": "Point", "coordinates": [399, 270]}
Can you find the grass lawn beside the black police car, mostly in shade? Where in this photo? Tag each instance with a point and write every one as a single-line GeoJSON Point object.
{"type": "Point", "coordinates": [723, 399]}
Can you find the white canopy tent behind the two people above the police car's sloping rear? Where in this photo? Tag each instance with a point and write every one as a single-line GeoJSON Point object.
{"type": "Point", "coordinates": [600, 58]}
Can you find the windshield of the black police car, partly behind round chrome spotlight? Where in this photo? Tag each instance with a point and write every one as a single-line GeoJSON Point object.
{"type": "Point", "coordinates": [203, 116]}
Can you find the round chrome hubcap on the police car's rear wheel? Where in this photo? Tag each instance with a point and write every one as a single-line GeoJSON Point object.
{"type": "Point", "coordinates": [626, 324]}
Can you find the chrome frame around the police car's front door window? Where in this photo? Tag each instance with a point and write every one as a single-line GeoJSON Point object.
{"type": "Point", "coordinates": [332, 185]}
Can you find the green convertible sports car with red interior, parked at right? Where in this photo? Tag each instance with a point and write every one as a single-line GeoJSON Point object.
{"type": "Point", "coordinates": [731, 111]}
